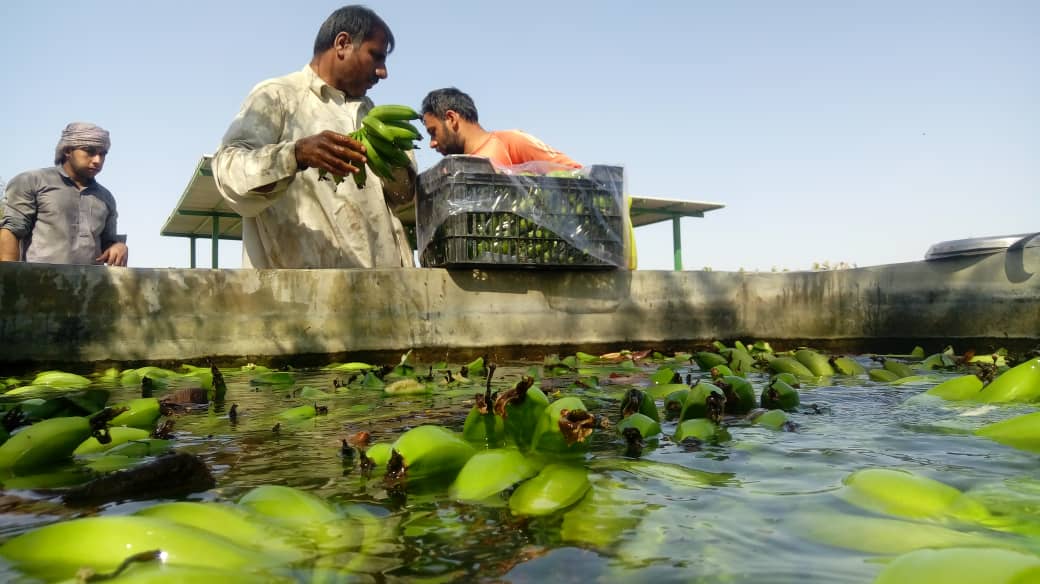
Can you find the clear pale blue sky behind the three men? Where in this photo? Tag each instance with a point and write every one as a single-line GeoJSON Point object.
{"type": "Point", "coordinates": [849, 131]}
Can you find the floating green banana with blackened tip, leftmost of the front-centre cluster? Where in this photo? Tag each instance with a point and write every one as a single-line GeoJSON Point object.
{"type": "Point", "coordinates": [428, 453]}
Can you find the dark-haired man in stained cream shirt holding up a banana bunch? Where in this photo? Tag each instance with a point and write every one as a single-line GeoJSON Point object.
{"type": "Point", "coordinates": [291, 128]}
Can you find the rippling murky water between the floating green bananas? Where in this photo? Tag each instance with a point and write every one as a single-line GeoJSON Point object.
{"type": "Point", "coordinates": [733, 512]}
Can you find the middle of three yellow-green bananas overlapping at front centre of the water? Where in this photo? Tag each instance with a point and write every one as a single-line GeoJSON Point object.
{"type": "Point", "coordinates": [491, 472]}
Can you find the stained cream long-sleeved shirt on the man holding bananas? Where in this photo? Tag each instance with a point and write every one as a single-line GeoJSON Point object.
{"type": "Point", "coordinates": [303, 223]}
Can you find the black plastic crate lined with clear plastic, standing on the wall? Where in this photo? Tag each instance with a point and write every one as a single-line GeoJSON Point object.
{"type": "Point", "coordinates": [488, 219]}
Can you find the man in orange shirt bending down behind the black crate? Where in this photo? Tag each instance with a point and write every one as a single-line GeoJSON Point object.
{"type": "Point", "coordinates": [452, 121]}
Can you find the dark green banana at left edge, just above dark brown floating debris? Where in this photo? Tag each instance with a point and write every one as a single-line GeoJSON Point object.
{"type": "Point", "coordinates": [44, 443]}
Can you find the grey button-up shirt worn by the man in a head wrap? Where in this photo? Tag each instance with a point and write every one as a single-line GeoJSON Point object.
{"type": "Point", "coordinates": [56, 222]}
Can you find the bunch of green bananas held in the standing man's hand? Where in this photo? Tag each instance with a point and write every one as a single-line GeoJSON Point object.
{"type": "Point", "coordinates": [387, 135]}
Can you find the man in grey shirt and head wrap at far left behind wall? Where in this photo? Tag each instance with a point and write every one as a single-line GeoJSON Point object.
{"type": "Point", "coordinates": [62, 215]}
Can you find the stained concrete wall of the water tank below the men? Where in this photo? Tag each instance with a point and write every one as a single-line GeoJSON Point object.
{"type": "Point", "coordinates": [76, 314]}
